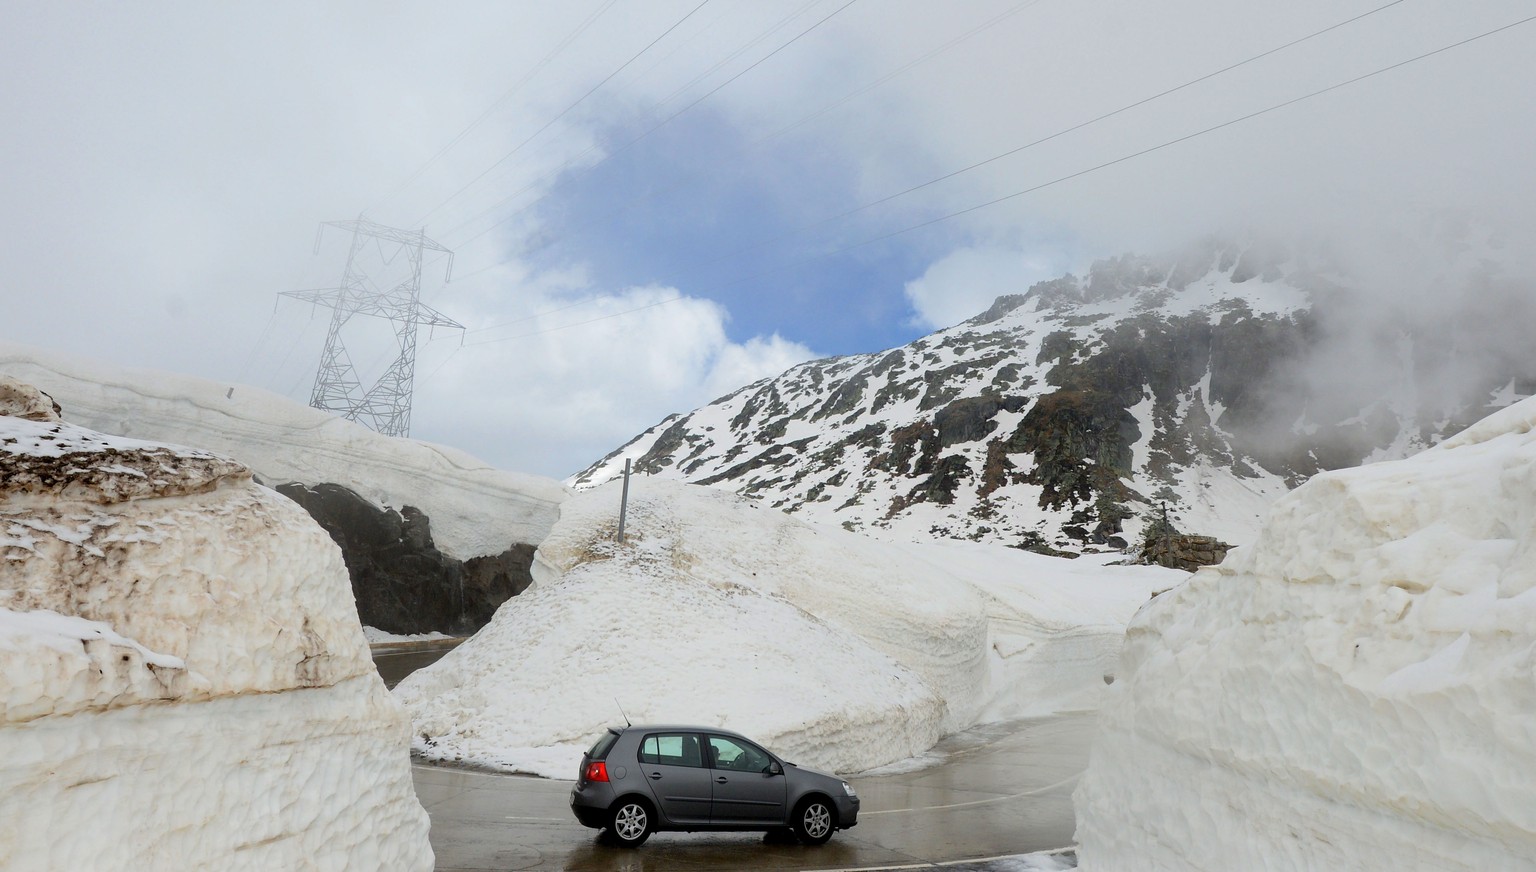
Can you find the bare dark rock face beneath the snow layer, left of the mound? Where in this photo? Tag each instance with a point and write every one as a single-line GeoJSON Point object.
{"type": "Point", "coordinates": [402, 581]}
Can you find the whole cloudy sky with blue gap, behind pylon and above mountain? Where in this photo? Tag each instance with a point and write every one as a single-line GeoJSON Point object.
{"type": "Point", "coordinates": [654, 202]}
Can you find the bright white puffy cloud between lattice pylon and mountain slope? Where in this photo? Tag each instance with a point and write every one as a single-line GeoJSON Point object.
{"type": "Point", "coordinates": [560, 391]}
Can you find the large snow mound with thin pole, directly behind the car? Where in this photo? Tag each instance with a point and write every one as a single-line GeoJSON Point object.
{"type": "Point", "coordinates": [836, 650]}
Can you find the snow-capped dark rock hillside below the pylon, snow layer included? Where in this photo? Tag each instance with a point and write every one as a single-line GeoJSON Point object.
{"type": "Point", "coordinates": [376, 495]}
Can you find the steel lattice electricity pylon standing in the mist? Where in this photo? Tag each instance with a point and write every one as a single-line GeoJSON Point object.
{"type": "Point", "coordinates": [385, 406]}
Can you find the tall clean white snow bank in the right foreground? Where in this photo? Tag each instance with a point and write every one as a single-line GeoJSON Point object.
{"type": "Point", "coordinates": [1354, 692]}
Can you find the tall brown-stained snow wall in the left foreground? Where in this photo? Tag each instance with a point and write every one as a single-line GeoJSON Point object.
{"type": "Point", "coordinates": [184, 679]}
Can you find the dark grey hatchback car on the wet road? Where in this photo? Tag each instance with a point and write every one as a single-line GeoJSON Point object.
{"type": "Point", "coordinates": [638, 781]}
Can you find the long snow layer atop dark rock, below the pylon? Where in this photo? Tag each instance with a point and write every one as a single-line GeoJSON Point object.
{"type": "Point", "coordinates": [474, 507]}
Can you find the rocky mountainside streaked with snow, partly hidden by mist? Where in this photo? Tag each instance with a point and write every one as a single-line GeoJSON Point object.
{"type": "Point", "coordinates": [1064, 417]}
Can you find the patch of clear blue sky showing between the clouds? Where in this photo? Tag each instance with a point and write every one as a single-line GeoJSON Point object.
{"type": "Point", "coordinates": [692, 208]}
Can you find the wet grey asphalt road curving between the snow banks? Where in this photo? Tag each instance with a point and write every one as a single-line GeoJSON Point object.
{"type": "Point", "coordinates": [1002, 790]}
